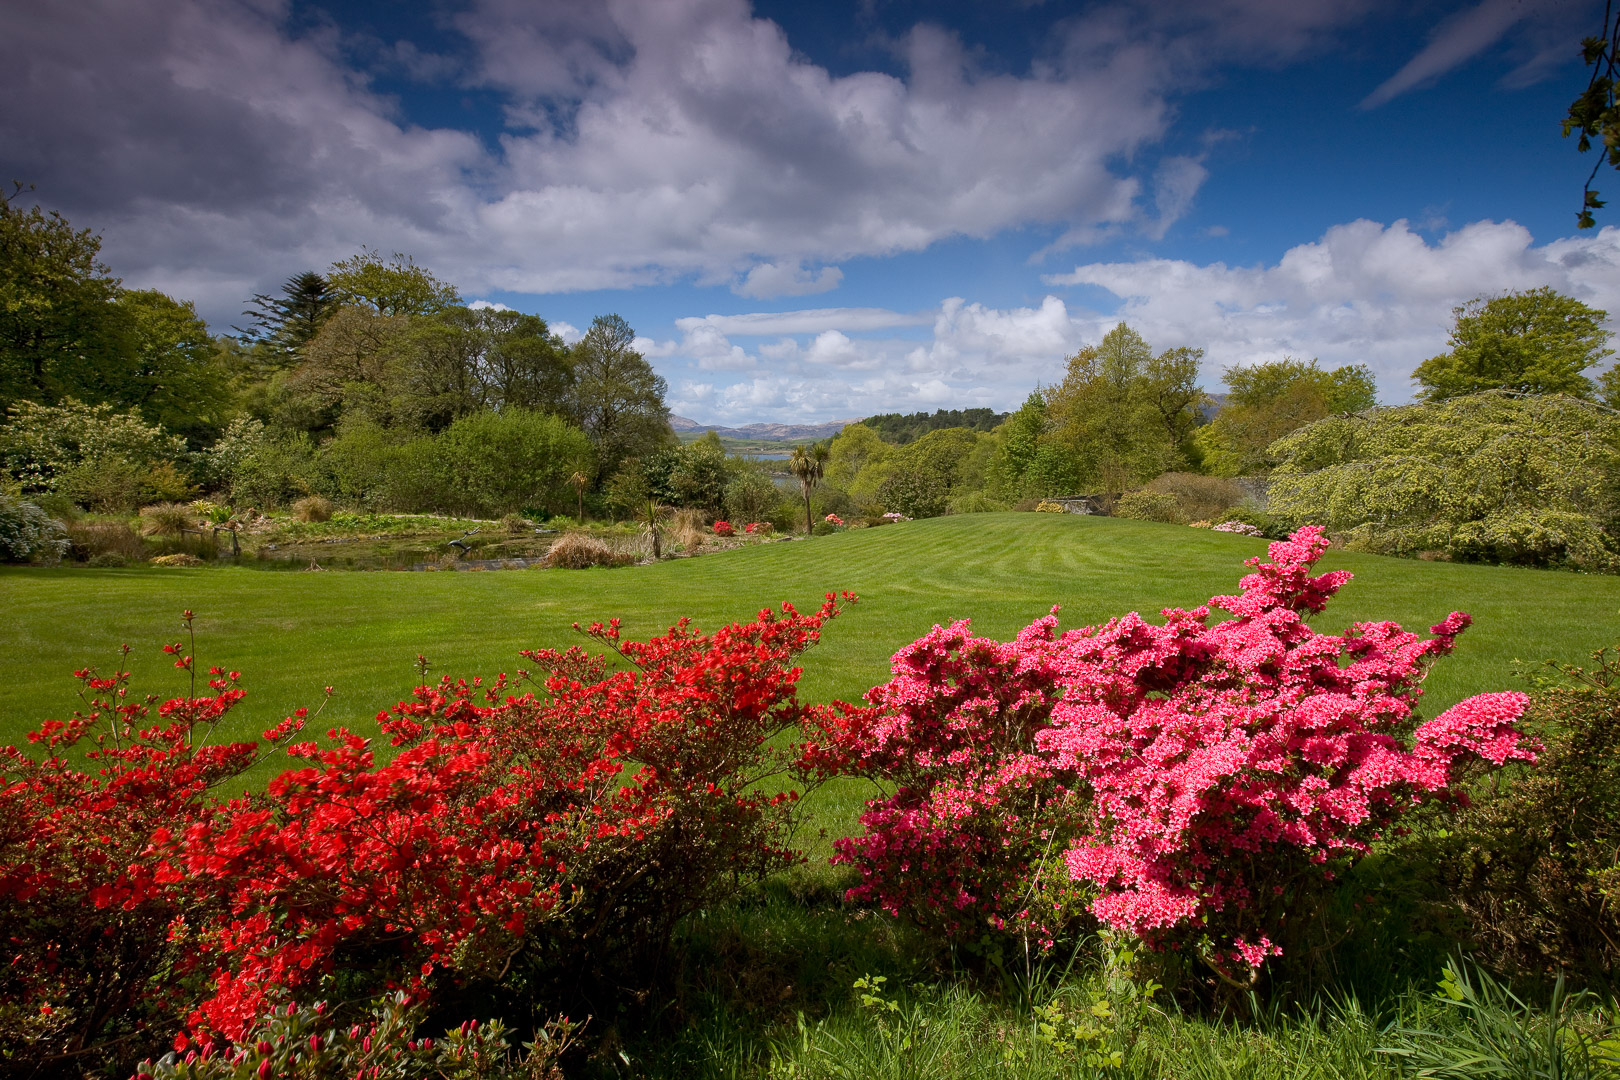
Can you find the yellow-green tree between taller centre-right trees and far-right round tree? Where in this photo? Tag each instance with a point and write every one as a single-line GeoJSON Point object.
{"type": "Point", "coordinates": [1269, 401]}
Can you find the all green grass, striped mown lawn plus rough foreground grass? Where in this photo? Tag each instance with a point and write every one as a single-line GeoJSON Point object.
{"type": "Point", "coordinates": [770, 980]}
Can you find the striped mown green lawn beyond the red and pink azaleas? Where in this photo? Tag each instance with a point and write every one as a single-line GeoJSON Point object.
{"type": "Point", "coordinates": [292, 634]}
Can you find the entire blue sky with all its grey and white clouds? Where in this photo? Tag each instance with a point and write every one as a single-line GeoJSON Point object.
{"type": "Point", "coordinates": [824, 211]}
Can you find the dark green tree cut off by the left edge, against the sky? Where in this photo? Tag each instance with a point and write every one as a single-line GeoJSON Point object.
{"type": "Point", "coordinates": [59, 333]}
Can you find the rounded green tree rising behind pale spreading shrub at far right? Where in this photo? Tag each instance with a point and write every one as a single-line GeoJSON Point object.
{"type": "Point", "coordinates": [1532, 342]}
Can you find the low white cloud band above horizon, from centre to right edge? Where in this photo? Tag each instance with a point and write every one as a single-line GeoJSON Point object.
{"type": "Point", "coordinates": [1363, 294]}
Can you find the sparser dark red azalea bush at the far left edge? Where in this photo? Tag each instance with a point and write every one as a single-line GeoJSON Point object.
{"type": "Point", "coordinates": [95, 917]}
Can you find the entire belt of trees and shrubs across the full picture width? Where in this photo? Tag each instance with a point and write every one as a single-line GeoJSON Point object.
{"type": "Point", "coordinates": [375, 385]}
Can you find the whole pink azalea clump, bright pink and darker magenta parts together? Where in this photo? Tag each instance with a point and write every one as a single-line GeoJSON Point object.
{"type": "Point", "coordinates": [1216, 778]}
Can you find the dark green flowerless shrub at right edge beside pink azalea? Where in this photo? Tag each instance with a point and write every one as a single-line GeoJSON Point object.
{"type": "Point", "coordinates": [1535, 864]}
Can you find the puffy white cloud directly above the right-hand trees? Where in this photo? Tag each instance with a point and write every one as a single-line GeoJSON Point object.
{"type": "Point", "coordinates": [1362, 294]}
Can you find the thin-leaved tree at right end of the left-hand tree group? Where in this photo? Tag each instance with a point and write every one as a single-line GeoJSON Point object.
{"type": "Point", "coordinates": [618, 398]}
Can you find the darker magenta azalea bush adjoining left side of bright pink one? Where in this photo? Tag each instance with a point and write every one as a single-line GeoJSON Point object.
{"type": "Point", "coordinates": [974, 806]}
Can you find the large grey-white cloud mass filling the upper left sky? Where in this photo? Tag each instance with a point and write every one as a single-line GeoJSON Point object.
{"type": "Point", "coordinates": [221, 148]}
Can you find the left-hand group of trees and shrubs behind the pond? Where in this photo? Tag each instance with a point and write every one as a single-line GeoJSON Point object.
{"type": "Point", "coordinates": [370, 381]}
